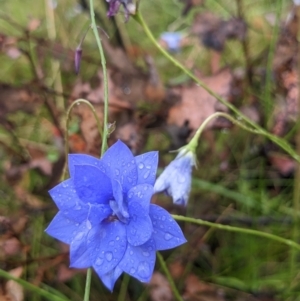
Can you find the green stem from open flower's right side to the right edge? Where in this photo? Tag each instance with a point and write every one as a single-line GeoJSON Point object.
{"type": "Point", "coordinates": [239, 230]}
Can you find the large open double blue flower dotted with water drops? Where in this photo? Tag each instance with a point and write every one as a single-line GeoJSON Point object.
{"type": "Point", "coordinates": [106, 217]}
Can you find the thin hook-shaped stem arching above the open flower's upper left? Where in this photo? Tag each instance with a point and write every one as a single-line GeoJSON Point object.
{"type": "Point", "coordinates": [77, 102]}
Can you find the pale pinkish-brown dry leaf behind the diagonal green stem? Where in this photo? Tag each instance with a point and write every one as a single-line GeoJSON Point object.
{"type": "Point", "coordinates": [197, 104]}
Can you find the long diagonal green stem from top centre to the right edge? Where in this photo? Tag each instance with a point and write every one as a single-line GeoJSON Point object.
{"type": "Point", "coordinates": [279, 141]}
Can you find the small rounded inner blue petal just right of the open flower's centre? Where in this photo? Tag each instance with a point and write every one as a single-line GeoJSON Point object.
{"type": "Point", "coordinates": [139, 229]}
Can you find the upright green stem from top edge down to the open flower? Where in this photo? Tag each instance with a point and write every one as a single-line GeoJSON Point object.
{"type": "Point", "coordinates": [105, 79]}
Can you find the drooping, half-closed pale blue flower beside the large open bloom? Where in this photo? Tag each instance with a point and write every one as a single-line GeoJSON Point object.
{"type": "Point", "coordinates": [176, 179]}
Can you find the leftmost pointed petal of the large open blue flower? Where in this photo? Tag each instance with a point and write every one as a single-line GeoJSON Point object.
{"type": "Point", "coordinates": [62, 228]}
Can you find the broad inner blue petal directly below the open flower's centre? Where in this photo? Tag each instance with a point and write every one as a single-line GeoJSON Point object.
{"type": "Point", "coordinates": [107, 243]}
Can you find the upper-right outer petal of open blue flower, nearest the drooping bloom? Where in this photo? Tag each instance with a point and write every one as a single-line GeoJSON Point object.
{"type": "Point", "coordinates": [147, 166]}
